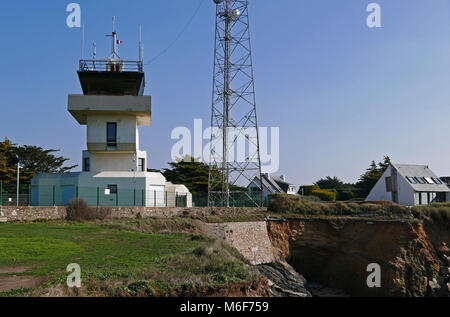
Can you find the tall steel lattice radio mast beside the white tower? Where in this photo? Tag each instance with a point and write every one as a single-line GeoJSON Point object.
{"type": "Point", "coordinates": [234, 116]}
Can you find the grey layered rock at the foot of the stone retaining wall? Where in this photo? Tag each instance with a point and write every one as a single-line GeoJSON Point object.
{"type": "Point", "coordinates": [285, 281]}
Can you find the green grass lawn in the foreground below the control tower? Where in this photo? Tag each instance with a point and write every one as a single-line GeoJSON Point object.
{"type": "Point", "coordinates": [116, 262]}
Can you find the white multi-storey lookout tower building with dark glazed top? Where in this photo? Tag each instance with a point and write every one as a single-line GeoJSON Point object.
{"type": "Point", "coordinates": [112, 107]}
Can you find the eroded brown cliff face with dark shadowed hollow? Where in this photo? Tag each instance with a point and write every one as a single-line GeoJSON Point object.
{"type": "Point", "coordinates": [337, 253]}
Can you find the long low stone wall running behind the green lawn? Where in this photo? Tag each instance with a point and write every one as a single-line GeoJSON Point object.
{"type": "Point", "coordinates": [32, 213]}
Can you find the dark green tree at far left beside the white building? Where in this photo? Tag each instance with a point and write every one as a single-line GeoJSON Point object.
{"type": "Point", "coordinates": [34, 160]}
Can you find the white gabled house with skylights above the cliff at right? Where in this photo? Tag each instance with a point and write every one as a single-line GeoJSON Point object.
{"type": "Point", "coordinates": [410, 185]}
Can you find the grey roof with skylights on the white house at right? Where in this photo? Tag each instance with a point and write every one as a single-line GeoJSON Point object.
{"type": "Point", "coordinates": [420, 171]}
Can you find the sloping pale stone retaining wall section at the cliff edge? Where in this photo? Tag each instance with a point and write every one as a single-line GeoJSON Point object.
{"type": "Point", "coordinates": [251, 239]}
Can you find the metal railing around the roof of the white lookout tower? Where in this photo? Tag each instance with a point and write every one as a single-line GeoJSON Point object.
{"type": "Point", "coordinates": [111, 66]}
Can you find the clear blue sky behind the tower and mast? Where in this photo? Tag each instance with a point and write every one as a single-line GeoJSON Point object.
{"type": "Point", "coordinates": [341, 93]}
